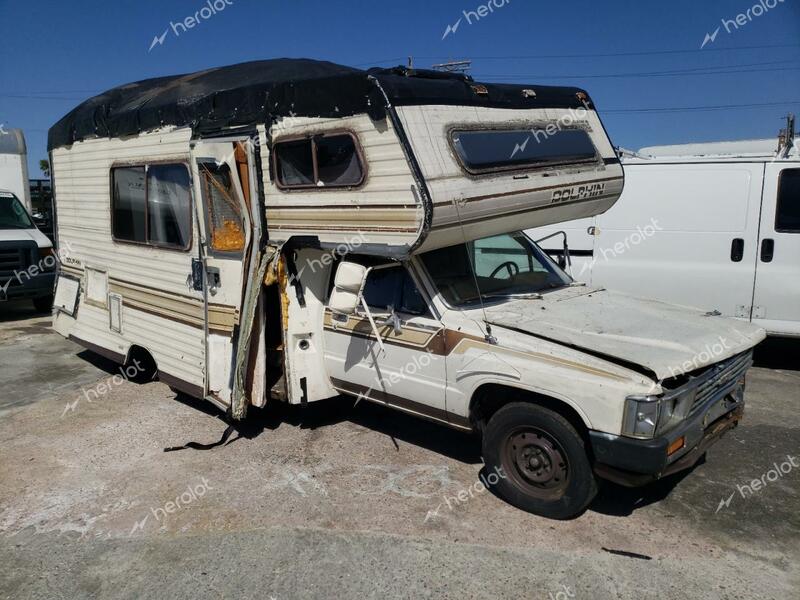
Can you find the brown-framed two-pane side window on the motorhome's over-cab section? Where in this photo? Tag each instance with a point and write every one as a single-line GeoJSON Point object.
{"type": "Point", "coordinates": [322, 161]}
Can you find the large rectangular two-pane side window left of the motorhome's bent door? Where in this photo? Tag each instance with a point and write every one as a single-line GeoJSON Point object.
{"type": "Point", "coordinates": [152, 205]}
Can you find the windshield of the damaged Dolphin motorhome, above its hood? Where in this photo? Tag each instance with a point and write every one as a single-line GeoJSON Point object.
{"type": "Point", "coordinates": [505, 266]}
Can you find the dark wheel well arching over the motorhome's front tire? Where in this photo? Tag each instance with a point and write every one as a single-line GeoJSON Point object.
{"type": "Point", "coordinates": [491, 397]}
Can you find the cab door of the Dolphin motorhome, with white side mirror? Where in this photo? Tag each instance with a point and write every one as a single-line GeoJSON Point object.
{"type": "Point", "coordinates": [409, 371]}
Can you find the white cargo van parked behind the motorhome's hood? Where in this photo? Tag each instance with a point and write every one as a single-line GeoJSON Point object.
{"type": "Point", "coordinates": [715, 226]}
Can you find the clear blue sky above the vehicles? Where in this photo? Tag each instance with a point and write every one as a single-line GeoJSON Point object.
{"type": "Point", "coordinates": [55, 54]}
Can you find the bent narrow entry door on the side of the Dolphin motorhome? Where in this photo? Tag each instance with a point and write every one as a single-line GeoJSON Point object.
{"type": "Point", "coordinates": [223, 179]}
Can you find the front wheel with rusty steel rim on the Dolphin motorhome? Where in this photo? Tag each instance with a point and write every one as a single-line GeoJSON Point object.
{"type": "Point", "coordinates": [541, 459]}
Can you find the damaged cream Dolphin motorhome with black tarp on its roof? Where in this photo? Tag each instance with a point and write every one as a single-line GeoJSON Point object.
{"type": "Point", "coordinates": [292, 230]}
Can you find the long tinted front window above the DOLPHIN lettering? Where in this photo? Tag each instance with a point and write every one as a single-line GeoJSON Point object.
{"type": "Point", "coordinates": [481, 151]}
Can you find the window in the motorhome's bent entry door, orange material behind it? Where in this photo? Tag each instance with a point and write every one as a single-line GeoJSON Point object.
{"type": "Point", "coordinates": [225, 221]}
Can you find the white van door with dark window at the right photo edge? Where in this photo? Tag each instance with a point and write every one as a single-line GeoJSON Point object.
{"type": "Point", "coordinates": [776, 300]}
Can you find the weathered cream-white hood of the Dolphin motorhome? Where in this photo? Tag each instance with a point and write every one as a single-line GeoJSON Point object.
{"type": "Point", "coordinates": [663, 338]}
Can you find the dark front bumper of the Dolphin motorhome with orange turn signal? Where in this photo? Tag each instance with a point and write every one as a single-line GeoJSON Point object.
{"type": "Point", "coordinates": [633, 462]}
